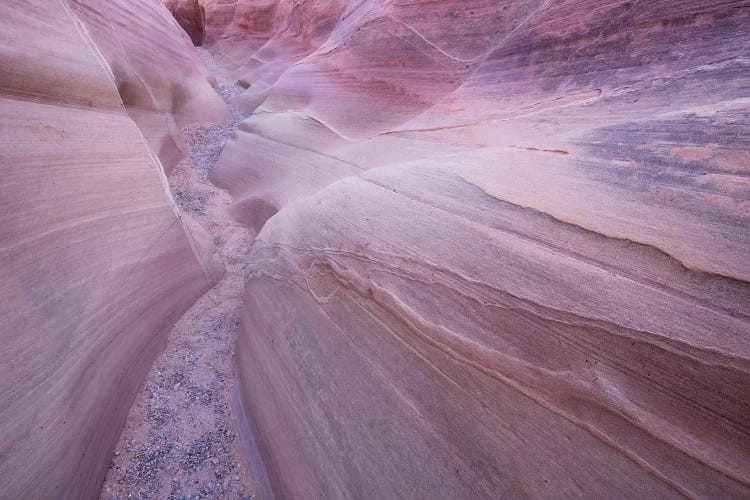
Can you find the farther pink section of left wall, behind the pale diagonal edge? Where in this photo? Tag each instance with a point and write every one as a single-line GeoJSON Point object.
{"type": "Point", "coordinates": [159, 77]}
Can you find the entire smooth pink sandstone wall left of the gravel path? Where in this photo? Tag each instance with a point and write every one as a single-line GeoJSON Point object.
{"type": "Point", "coordinates": [95, 262]}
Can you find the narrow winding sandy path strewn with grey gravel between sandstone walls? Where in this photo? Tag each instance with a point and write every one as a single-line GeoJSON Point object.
{"type": "Point", "coordinates": [180, 440]}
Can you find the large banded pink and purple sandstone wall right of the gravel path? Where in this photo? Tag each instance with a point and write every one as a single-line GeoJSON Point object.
{"type": "Point", "coordinates": [503, 246]}
